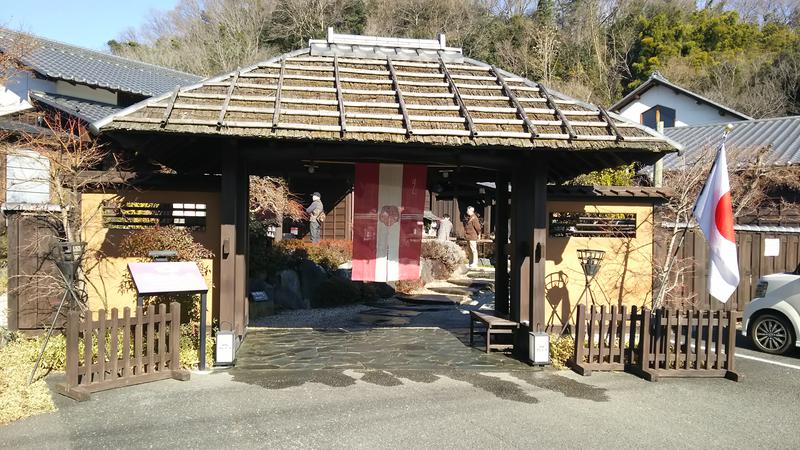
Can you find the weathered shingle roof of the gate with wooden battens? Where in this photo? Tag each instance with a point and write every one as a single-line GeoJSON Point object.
{"type": "Point", "coordinates": [357, 88]}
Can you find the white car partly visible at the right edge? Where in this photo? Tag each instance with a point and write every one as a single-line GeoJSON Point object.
{"type": "Point", "coordinates": [772, 319]}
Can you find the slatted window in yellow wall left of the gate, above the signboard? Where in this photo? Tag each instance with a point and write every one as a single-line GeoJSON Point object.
{"type": "Point", "coordinates": [142, 215]}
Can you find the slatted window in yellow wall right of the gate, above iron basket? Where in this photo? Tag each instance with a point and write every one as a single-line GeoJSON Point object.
{"type": "Point", "coordinates": [583, 224]}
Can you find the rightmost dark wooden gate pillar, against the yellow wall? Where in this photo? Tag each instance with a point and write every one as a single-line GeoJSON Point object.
{"type": "Point", "coordinates": [538, 301]}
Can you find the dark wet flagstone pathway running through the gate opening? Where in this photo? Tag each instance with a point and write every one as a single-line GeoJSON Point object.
{"type": "Point", "coordinates": [386, 335]}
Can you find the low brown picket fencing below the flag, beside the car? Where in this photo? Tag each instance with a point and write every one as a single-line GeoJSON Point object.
{"type": "Point", "coordinates": [669, 343]}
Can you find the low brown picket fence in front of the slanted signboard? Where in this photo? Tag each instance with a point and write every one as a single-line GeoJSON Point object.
{"type": "Point", "coordinates": [113, 352]}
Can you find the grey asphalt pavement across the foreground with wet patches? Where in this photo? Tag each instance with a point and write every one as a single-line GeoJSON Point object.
{"type": "Point", "coordinates": [432, 408]}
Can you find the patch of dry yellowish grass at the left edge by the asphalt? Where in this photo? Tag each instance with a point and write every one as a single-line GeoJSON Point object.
{"type": "Point", "coordinates": [18, 399]}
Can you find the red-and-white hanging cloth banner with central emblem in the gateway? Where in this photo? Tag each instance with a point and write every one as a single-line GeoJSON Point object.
{"type": "Point", "coordinates": [387, 228]}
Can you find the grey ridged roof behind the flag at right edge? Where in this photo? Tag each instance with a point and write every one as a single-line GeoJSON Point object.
{"type": "Point", "coordinates": [780, 135]}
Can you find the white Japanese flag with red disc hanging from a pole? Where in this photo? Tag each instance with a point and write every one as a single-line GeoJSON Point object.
{"type": "Point", "coordinates": [714, 214]}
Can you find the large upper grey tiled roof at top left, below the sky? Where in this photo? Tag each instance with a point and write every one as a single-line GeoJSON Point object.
{"type": "Point", "coordinates": [66, 62]}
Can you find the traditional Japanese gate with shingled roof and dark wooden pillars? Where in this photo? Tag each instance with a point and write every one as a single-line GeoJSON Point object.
{"type": "Point", "coordinates": [349, 99]}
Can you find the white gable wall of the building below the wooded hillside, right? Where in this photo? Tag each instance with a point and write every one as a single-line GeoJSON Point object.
{"type": "Point", "coordinates": [687, 110]}
